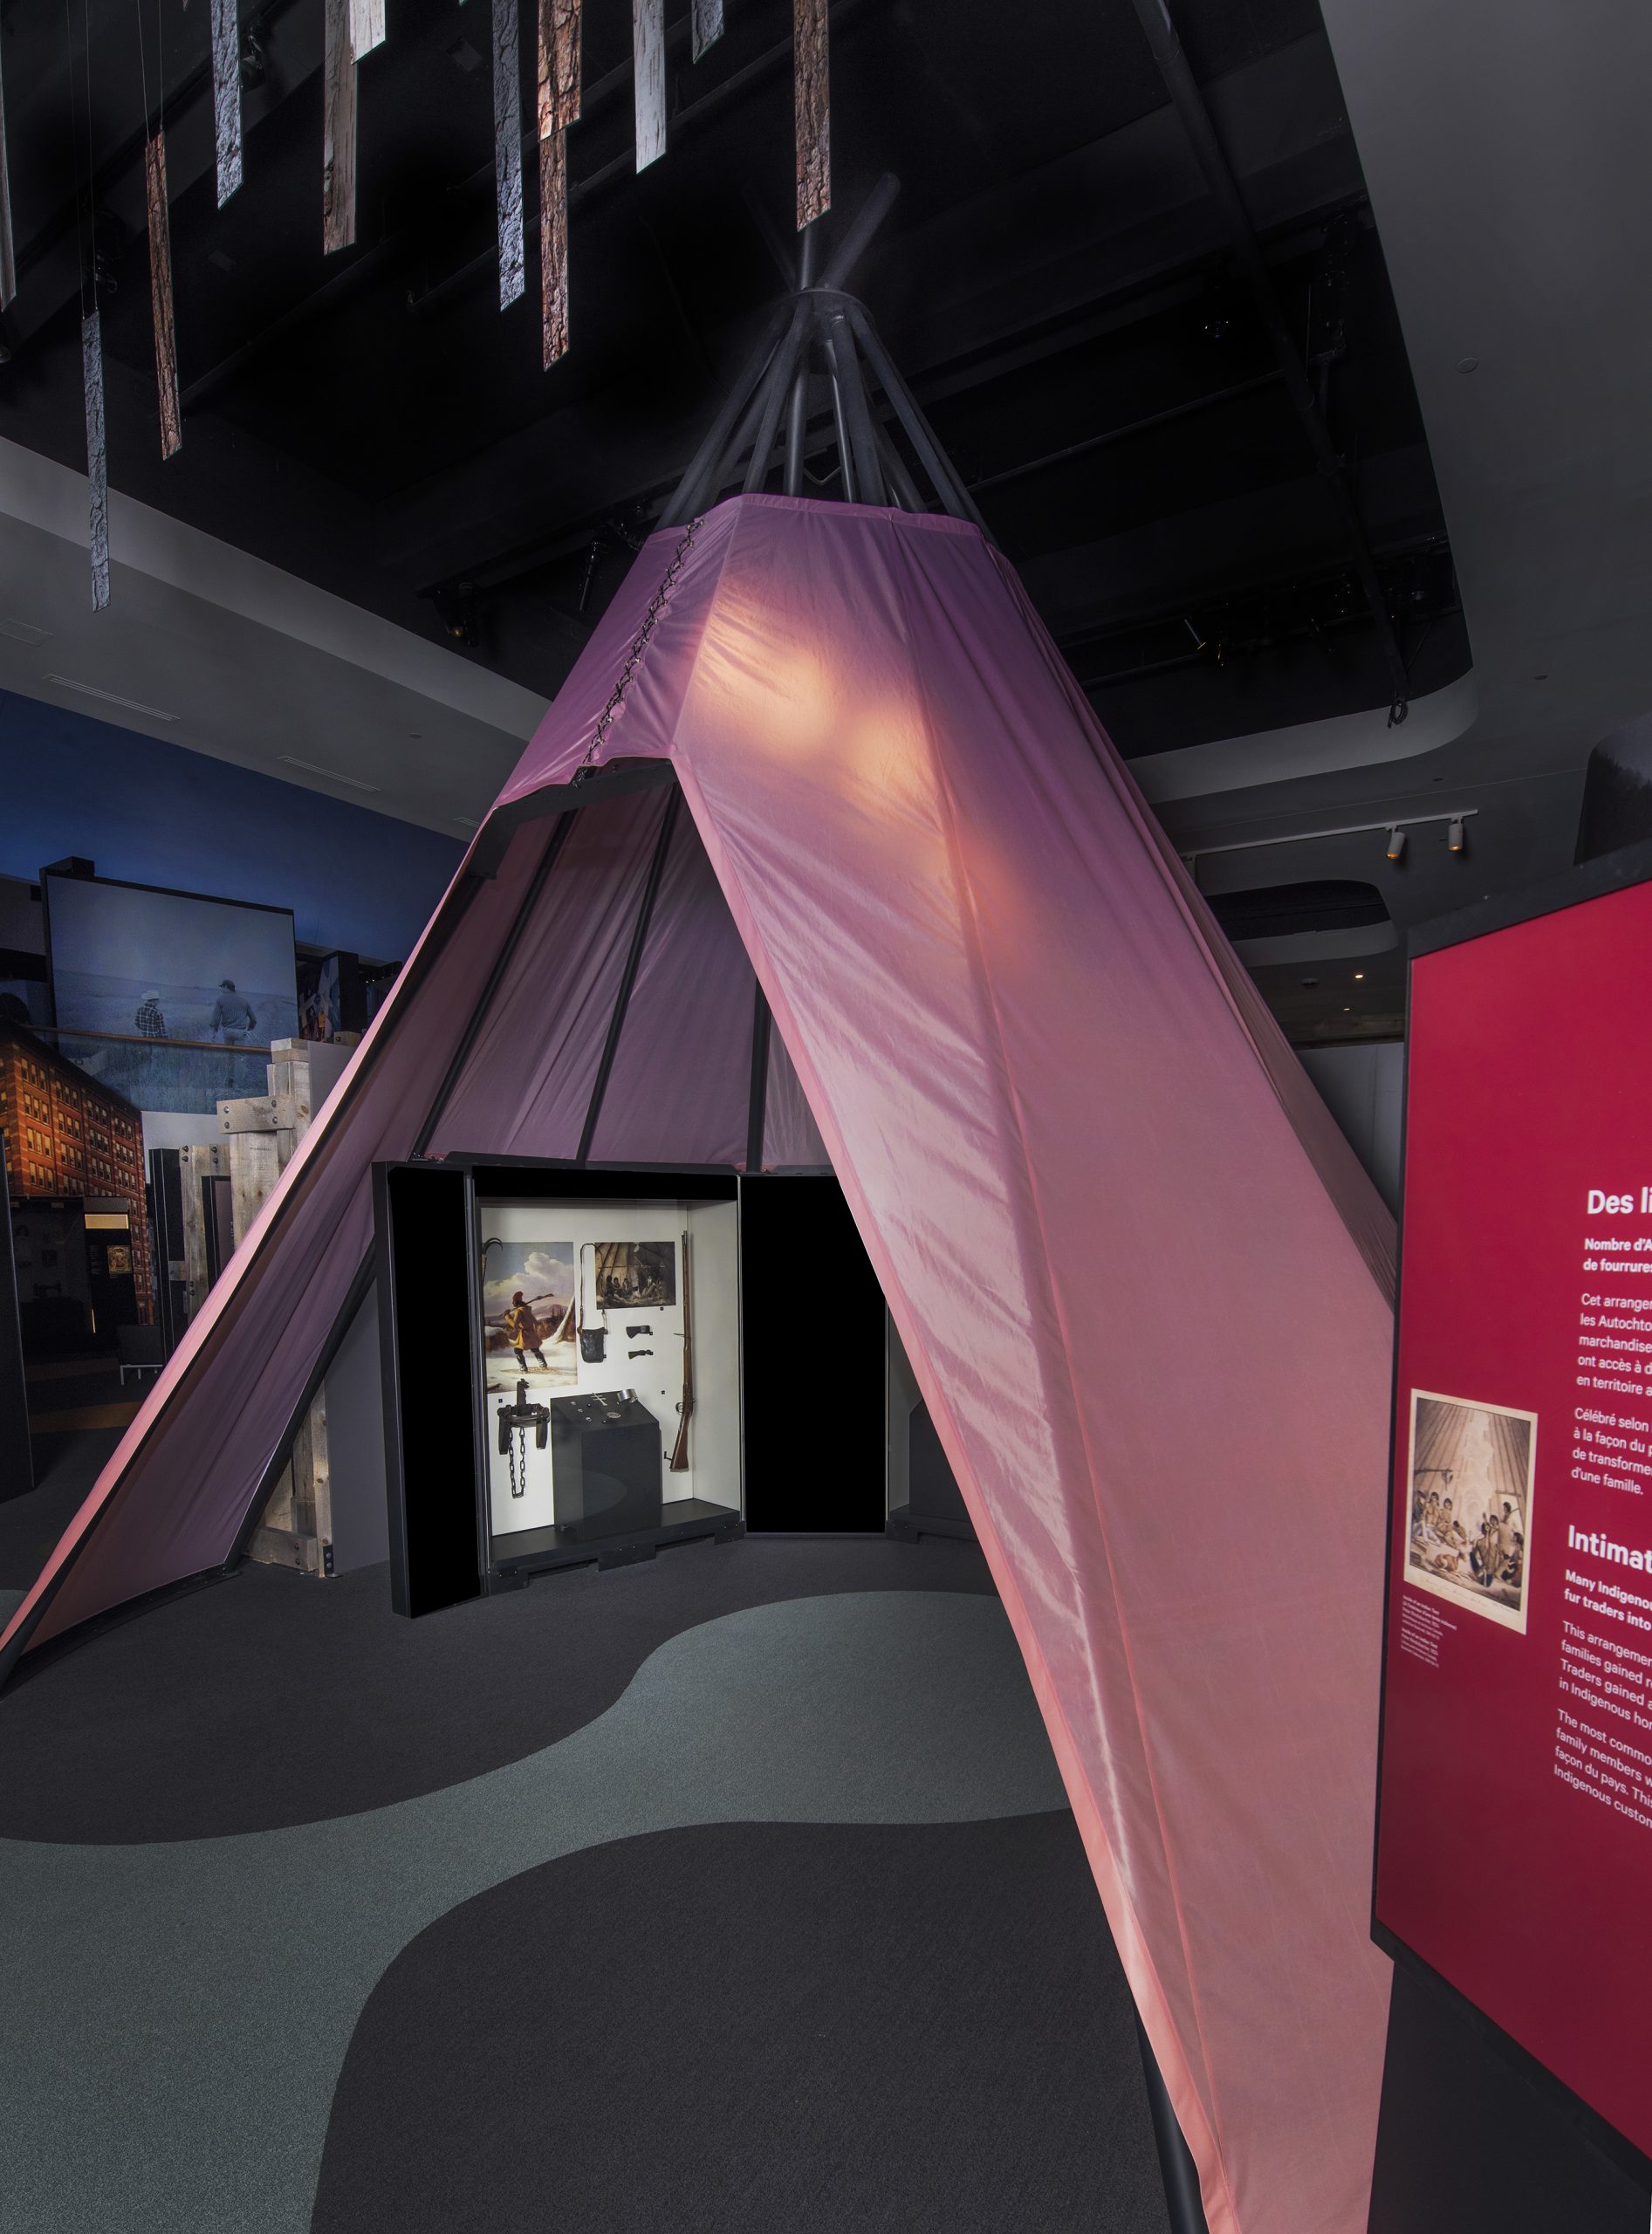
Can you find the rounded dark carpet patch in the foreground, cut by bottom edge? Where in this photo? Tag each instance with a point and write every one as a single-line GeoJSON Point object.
{"type": "Point", "coordinates": [757, 2027]}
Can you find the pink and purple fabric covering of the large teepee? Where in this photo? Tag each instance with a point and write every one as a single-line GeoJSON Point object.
{"type": "Point", "coordinates": [1139, 1274]}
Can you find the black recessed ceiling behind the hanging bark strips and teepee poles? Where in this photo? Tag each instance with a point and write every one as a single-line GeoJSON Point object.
{"type": "Point", "coordinates": [1054, 280]}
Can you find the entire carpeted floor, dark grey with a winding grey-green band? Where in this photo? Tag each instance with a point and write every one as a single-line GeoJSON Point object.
{"type": "Point", "coordinates": [779, 1820]}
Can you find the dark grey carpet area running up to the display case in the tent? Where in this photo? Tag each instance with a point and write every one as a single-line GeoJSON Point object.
{"type": "Point", "coordinates": [274, 1699]}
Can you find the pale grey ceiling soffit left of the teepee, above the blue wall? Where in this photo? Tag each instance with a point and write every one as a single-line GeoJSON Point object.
{"type": "Point", "coordinates": [234, 658]}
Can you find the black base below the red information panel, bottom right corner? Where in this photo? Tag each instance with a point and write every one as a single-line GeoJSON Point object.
{"type": "Point", "coordinates": [1470, 2146]}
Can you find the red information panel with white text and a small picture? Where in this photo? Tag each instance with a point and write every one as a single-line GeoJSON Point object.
{"type": "Point", "coordinates": [1515, 1842]}
